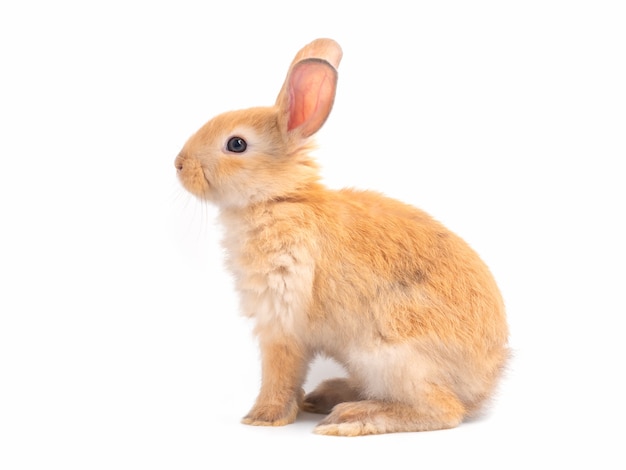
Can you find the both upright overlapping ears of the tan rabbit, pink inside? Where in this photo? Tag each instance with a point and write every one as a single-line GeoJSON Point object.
{"type": "Point", "coordinates": [307, 96]}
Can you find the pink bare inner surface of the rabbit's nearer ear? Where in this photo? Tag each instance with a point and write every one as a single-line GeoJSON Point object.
{"type": "Point", "coordinates": [311, 94]}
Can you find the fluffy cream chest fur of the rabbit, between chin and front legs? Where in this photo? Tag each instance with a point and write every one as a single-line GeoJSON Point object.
{"type": "Point", "coordinates": [271, 259]}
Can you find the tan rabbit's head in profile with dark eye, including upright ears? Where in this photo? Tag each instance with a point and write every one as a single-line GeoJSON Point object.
{"type": "Point", "coordinates": [258, 154]}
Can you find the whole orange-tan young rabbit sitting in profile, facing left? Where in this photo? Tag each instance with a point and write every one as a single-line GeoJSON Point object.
{"type": "Point", "coordinates": [409, 310]}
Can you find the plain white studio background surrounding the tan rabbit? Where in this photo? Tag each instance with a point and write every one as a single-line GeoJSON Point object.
{"type": "Point", "coordinates": [120, 341]}
